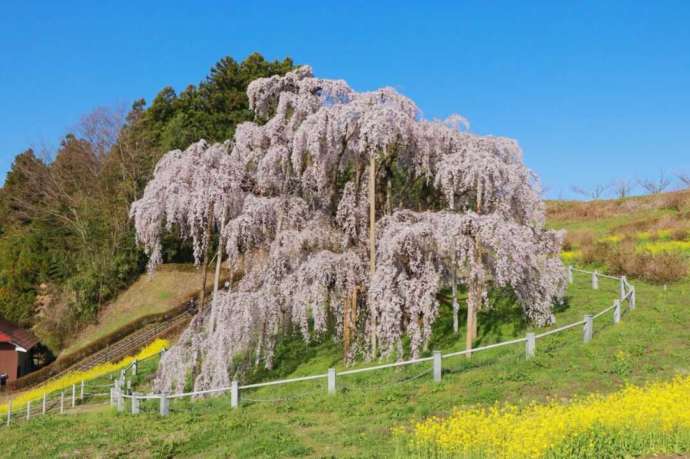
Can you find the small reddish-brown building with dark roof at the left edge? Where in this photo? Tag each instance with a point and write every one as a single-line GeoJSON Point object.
{"type": "Point", "coordinates": [18, 350]}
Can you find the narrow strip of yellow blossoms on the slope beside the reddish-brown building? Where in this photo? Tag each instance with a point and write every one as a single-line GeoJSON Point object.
{"type": "Point", "coordinates": [77, 377]}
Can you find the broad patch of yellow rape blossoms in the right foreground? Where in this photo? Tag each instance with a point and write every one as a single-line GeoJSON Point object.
{"type": "Point", "coordinates": [658, 415]}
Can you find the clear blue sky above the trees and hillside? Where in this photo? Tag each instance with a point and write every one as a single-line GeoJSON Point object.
{"type": "Point", "coordinates": [593, 91]}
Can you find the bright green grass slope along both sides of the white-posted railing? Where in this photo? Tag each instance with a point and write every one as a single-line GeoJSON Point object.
{"type": "Point", "coordinates": [650, 344]}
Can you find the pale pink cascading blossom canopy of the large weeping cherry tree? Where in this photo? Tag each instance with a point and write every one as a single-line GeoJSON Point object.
{"type": "Point", "coordinates": [291, 195]}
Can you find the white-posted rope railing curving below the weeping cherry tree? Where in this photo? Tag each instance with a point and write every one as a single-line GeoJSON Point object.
{"type": "Point", "coordinates": [119, 393]}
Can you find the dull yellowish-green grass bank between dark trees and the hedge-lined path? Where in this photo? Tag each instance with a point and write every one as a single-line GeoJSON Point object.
{"type": "Point", "coordinates": [168, 287]}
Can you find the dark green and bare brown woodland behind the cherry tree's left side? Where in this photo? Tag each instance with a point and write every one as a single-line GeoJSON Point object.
{"type": "Point", "coordinates": [67, 245]}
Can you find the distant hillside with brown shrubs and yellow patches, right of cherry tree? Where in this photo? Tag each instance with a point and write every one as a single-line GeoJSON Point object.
{"type": "Point", "coordinates": [646, 237]}
